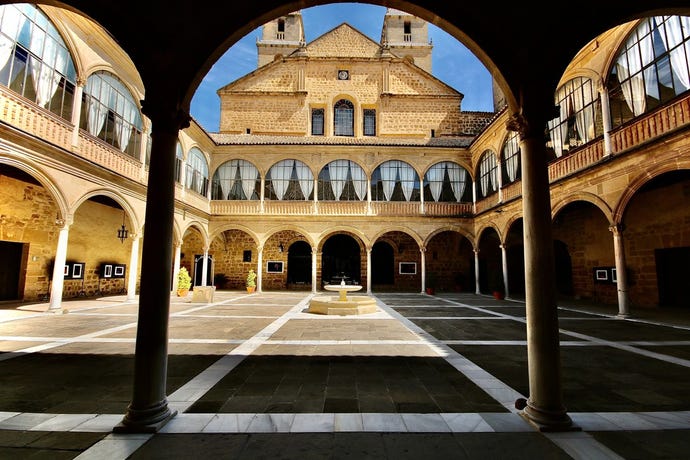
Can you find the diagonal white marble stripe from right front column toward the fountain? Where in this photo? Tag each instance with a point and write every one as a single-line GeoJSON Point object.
{"type": "Point", "coordinates": [497, 389]}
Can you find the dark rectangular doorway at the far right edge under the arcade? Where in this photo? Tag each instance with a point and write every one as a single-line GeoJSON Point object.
{"type": "Point", "coordinates": [671, 275]}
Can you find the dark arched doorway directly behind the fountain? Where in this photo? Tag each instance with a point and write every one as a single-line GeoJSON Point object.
{"type": "Point", "coordinates": [341, 257]}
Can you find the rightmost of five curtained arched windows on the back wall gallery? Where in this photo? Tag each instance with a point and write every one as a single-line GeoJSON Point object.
{"type": "Point", "coordinates": [447, 182]}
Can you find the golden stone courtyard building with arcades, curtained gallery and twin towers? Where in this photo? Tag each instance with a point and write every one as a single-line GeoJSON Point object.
{"type": "Point", "coordinates": [343, 157]}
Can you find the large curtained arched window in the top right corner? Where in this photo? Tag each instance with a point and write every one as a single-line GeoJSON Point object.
{"type": "Point", "coordinates": [651, 68]}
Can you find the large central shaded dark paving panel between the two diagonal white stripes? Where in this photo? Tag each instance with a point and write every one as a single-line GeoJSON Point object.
{"type": "Point", "coordinates": [380, 384]}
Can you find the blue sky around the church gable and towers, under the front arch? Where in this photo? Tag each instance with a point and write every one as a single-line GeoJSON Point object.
{"type": "Point", "coordinates": [452, 62]}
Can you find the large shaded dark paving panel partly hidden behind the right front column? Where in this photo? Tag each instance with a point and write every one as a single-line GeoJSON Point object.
{"type": "Point", "coordinates": [595, 379]}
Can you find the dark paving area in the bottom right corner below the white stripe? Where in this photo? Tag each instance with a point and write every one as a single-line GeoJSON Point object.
{"type": "Point", "coordinates": [645, 445]}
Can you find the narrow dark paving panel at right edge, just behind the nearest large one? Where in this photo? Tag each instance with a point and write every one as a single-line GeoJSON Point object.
{"type": "Point", "coordinates": [618, 329]}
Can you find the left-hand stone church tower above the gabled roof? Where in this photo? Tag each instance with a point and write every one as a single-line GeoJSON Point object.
{"type": "Point", "coordinates": [280, 37]}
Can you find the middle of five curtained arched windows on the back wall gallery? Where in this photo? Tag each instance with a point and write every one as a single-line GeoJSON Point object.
{"type": "Point", "coordinates": [342, 180]}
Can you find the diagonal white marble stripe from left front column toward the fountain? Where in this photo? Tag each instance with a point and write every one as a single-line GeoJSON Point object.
{"type": "Point", "coordinates": [196, 387]}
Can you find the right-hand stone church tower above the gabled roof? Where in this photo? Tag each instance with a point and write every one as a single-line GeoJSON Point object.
{"type": "Point", "coordinates": [407, 36]}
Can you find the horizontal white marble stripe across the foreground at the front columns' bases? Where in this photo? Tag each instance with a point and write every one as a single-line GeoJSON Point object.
{"type": "Point", "coordinates": [496, 422]}
